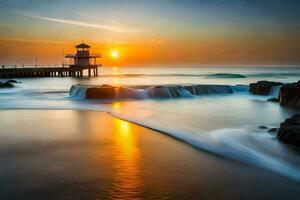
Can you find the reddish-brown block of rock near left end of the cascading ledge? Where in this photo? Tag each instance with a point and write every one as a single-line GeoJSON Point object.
{"type": "Point", "coordinates": [101, 92]}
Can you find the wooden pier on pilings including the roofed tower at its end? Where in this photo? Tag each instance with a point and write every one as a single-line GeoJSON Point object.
{"type": "Point", "coordinates": [81, 61]}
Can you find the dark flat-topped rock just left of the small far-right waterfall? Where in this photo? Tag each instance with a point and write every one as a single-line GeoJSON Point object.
{"type": "Point", "coordinates": [263, 87]}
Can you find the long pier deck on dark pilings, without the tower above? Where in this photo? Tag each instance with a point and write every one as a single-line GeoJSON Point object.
{"type": "Point", "coordinates": [63, 71]}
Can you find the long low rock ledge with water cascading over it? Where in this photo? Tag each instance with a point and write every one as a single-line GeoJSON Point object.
{"type": "Point", "coordinates": [151, 92]}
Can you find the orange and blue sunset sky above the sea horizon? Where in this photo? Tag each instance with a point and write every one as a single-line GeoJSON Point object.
{"type": "Point", "coordinates": [153, 32]}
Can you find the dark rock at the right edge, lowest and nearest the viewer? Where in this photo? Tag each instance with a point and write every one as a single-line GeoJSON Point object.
{"type": "Point", "coordinates": [289, 131]}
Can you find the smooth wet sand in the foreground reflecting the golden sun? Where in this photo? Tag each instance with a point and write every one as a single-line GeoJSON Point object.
{"type": "Point", "coordinates": [91, 155]}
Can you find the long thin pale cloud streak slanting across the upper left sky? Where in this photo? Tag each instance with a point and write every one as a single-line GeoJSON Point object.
{"type": "Point", "coordinates": [105, 27]}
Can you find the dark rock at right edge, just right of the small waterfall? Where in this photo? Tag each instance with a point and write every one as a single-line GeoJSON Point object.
{"type": "Point", "coordinates": [289, 95]}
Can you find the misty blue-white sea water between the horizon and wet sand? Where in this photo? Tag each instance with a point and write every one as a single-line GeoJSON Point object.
{"type": "Point", "coordinates": [225, 124]}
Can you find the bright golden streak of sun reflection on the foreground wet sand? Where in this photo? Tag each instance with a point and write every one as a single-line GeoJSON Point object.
{"type": "Point", "coordinates": [127, 182]}
